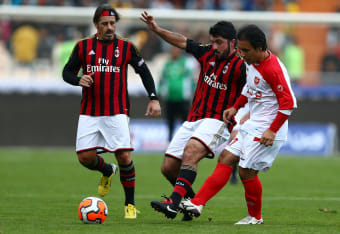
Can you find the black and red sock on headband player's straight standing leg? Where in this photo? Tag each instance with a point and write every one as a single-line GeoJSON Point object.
{"type": "Point", "coordinates": [127, 179]}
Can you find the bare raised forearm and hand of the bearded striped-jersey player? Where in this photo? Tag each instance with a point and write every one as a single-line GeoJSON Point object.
{"type": "Point", "coordinates": [172, 38]}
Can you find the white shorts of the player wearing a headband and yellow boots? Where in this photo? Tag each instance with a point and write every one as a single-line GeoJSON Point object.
{"type": "Point", "coordinates": [103, 133]}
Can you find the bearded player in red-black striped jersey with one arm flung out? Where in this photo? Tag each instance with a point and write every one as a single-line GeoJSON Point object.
{"type": "Point", "coordinates": [221, 80]}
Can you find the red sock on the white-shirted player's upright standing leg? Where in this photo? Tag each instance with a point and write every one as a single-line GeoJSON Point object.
{"type": "Point", "coordinates": [253, 194]}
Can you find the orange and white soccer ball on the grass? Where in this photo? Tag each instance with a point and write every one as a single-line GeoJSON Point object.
{"type": "Point", "coordinates": [92, 210]}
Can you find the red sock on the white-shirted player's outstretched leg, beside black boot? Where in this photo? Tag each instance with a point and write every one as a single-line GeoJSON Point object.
{"type": "Point", "coordinates": [213, 184]}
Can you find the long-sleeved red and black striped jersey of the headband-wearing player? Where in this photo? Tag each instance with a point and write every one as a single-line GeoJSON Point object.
{"type": "Point", "coordinates": [108, 62]}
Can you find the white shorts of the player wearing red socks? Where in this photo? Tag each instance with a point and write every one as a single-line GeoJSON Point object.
{"type": "Point", "coordinates": [252, 154]}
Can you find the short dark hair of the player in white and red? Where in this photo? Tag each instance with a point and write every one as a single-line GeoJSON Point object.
{"type": "Point", "coordinates": [254, 35]}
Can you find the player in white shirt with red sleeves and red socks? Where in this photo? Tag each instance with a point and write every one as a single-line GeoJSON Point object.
{"type": "Point", "coordinates": [271, 101]}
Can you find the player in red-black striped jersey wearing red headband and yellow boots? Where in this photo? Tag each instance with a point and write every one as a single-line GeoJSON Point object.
{"type": "Point", "coordinates": [105, 107]}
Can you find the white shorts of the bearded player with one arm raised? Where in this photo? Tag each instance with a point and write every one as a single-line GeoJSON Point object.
{"type": "Point", "coordinates": [210, 132]}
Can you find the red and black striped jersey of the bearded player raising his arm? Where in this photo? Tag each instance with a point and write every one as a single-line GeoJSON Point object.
{"type": "Point", "coordinates": [219, 85]}
